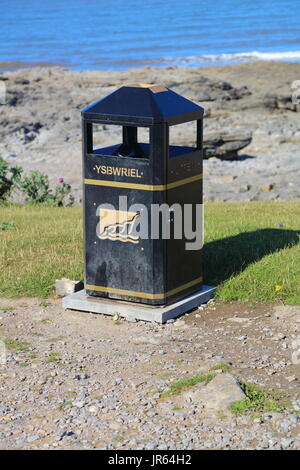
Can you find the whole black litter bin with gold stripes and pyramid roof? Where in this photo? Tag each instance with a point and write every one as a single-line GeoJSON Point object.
{"type": "Point", "coordinates": [127, 256]}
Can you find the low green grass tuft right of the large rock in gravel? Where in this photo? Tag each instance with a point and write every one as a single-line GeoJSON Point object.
{"type": "Point", "coordinates": [260, 400]}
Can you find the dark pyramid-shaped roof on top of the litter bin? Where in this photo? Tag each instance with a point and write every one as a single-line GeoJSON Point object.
{"type": "Point", "coordinates": [143, 104]}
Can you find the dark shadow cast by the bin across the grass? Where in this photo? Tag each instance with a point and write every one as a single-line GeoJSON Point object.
{"type": "Point", "coordinates": [229, 256]}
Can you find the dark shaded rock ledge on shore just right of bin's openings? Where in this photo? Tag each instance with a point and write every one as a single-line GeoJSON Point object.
{"type": "Point", "coordinates": [225, 146]}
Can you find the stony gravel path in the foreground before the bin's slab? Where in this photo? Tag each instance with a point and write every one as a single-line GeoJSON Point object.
{"type": "Point", "coordinates": [81, 381]}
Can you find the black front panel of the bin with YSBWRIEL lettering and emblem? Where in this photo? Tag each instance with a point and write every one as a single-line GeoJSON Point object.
{"type": "Point", "coordinates": [120, 266]}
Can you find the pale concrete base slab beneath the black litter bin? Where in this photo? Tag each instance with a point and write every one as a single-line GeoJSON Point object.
{"type": "Point", "coordinates": [133, 311]}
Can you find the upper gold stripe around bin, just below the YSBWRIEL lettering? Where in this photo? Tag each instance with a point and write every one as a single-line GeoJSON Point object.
{"type": "Point", "coordinates": [144, 187]}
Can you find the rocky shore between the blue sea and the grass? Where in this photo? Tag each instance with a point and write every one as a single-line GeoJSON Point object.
{"type": "Point", "coordinates": [252, 128]}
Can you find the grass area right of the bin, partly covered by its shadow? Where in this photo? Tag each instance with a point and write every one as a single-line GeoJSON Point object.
{"type": "Point", "coordinates": [248, 256]}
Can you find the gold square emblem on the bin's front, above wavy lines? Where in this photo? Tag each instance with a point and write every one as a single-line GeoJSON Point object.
{"type": "Point", "coordinates": [118, 225]}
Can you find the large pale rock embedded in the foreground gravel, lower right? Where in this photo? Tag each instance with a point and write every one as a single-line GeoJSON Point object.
{"type": "Point", "coordinates": [218, 394]}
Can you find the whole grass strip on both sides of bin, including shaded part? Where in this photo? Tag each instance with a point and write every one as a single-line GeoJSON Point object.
{"type": "Point", "coordinates": [248, 254]}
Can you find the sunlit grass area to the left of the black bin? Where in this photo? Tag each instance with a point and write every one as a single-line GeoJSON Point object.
{"type": "Point", "coordinates": [46, 244]}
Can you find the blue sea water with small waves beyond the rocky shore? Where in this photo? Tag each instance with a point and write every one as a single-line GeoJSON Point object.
{"type": "Point", "coordinates": [118, 34]}
